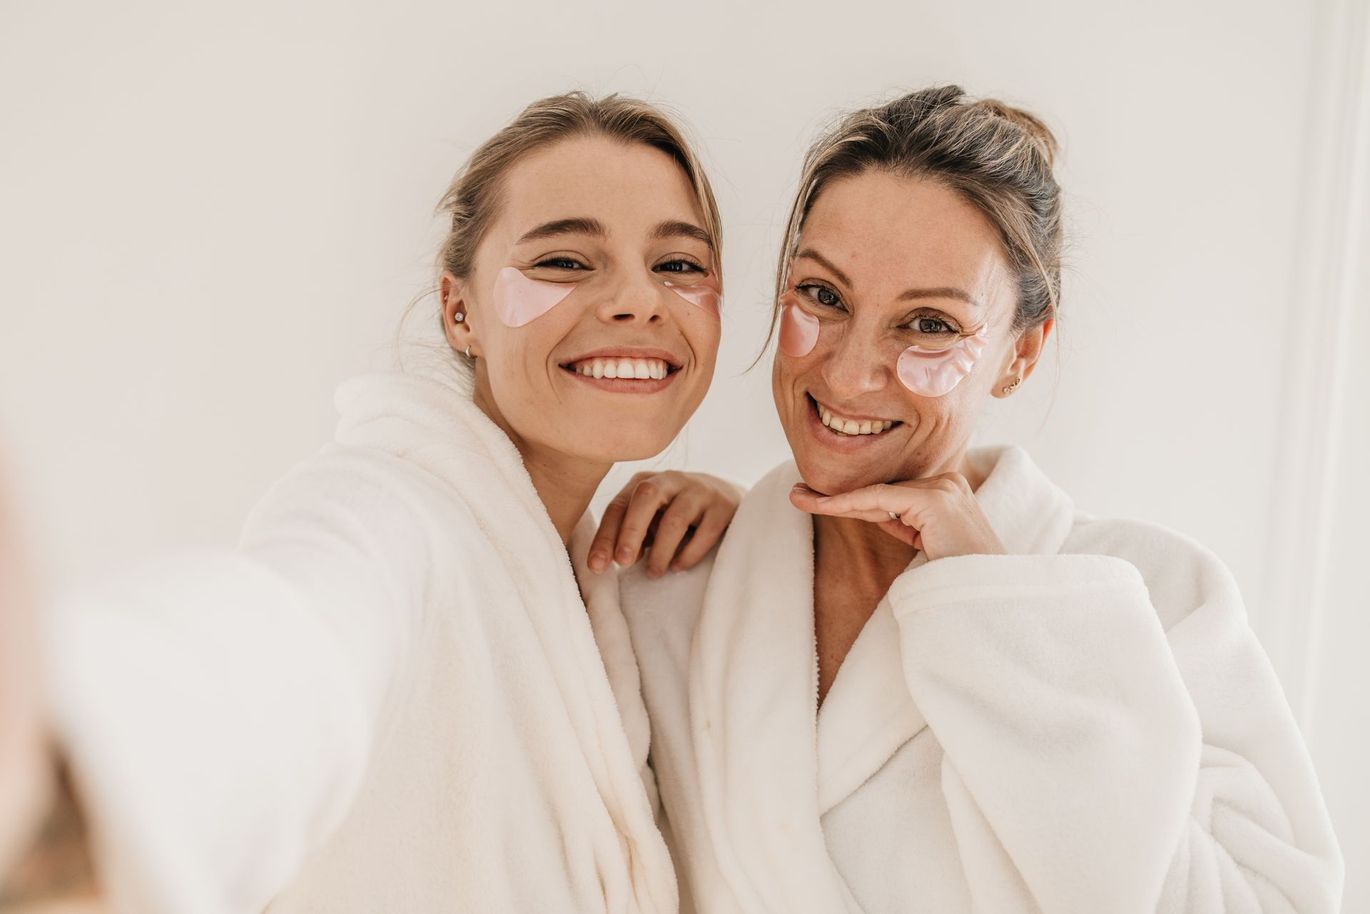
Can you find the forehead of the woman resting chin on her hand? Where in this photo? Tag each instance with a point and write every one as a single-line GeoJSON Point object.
{"type": "Point", "coordinates": [890, 232]}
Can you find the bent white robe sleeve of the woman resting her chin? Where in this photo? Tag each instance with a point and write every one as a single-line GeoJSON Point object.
{"type": "Point", "coordinates": [1114, 742]}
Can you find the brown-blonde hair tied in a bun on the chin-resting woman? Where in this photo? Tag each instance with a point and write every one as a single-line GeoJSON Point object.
{"type": "Point", "coordinates": [997, 157]}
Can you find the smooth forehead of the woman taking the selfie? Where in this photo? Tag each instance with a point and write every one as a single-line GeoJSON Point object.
{"type": "Point", "coordinates": [630, 187]}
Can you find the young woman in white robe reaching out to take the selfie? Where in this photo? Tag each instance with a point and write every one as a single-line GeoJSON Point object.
{"type": "Point", "coordinates": [391, 697]}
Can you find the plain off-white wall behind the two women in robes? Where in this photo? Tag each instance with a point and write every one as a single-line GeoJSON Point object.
{"type": "Point", "coordinates": [213, 213]}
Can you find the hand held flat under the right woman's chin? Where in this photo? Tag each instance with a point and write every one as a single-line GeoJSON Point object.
{"type": "Point", "coordinates": [939, 516]}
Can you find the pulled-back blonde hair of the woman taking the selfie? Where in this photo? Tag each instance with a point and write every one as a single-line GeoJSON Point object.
{"type": "Point", "coordinates": [473, 198]}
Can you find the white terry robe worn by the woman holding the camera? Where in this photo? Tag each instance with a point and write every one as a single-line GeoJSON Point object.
{"type": "Point", "coordinates": [388, 700]}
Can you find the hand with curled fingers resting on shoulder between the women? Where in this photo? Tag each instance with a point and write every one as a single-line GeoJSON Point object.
{"type": "Point", "coordinates": [680, 516]}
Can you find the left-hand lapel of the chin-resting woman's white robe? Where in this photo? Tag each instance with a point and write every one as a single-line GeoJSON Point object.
{"type": "Point", "coordinates": [753, 698]}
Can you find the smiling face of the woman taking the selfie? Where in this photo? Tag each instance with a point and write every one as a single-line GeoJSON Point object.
{"type": "Point", "coordinates": [593, 306]}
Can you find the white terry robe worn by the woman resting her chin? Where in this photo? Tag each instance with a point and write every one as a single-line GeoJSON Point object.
{"type": "Point", "coordinates": [1084, 726]}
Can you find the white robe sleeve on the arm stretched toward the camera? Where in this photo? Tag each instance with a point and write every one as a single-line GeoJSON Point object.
{"type": "Point", "coordinates": [217, 706]}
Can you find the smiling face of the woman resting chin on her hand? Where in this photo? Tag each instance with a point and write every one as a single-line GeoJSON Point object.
{"type": "Point", "coordinates": [897, 327]}
